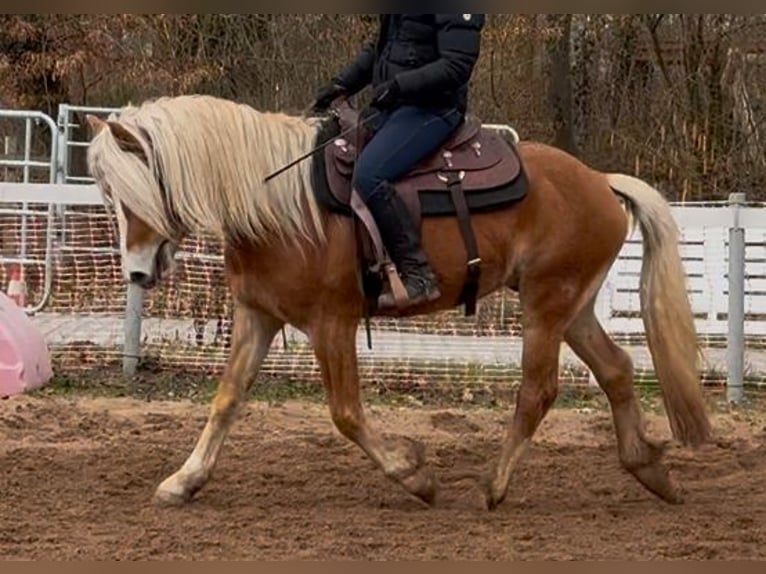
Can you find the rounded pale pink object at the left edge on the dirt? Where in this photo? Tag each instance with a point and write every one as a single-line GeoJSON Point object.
{"type": "Point", "coordinates": [25, 362]}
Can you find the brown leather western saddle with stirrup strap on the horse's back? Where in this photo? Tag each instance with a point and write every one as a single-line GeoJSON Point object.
{"type": "Point", "coordinates": [476, 169]}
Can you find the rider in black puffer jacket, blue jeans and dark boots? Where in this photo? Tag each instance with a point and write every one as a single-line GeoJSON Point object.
{"type": "Point", "coordinates": [419, 69]}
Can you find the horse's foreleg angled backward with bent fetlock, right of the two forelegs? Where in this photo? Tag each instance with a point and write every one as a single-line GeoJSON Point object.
{"type": "Point", "coordinates": [401, 460]}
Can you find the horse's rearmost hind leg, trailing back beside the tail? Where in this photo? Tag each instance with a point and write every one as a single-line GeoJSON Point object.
{"type": "Point", "coordinates": [613, 368]}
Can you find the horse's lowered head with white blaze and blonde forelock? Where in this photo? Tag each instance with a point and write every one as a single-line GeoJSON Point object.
{"type": "Point", "coordinates": [121, 167]}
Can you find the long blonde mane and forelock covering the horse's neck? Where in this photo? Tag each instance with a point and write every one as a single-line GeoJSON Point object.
{"type": "Point", "coordinates": [211, 155]}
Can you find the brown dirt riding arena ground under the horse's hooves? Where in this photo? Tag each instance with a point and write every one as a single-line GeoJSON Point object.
{"type": "Point", "coordinates": [78, 475]}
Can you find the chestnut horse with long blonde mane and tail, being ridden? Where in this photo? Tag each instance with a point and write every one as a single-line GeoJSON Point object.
{"type": "Point", "coordinates": [172, 167]}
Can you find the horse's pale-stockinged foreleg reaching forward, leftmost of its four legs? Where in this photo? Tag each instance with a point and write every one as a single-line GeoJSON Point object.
{"type": "Point", "coordinates": [251, 340]}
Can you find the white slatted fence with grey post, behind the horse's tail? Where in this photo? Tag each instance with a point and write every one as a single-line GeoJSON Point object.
{"type": "Point", "coordinates": [724, 253]}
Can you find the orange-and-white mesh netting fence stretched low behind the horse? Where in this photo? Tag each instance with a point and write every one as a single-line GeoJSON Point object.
{"type": "Point", "coordinates": [187, 321]}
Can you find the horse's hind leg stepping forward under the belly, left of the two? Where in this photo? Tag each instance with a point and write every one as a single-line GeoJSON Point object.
{"type": "Point", "coordinates": [538, 392]}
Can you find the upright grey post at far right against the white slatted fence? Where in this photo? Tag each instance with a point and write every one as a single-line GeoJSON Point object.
{"type": "Point", "coordinates": [736, 347]}
